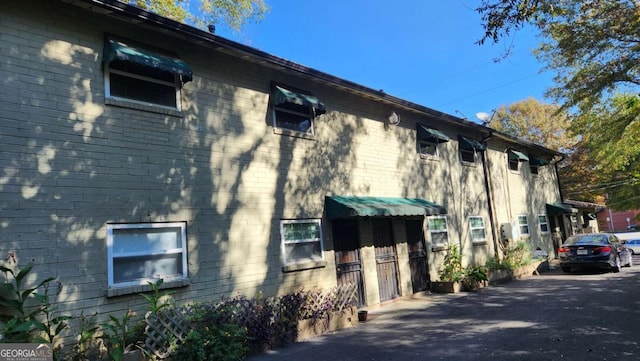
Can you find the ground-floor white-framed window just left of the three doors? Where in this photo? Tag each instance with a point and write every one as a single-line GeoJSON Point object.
{"type": "Point", "coordinates": [301, 241]}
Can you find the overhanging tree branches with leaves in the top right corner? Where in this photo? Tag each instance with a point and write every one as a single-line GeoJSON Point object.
{"type": "Point", "coordinates": [592, 45]}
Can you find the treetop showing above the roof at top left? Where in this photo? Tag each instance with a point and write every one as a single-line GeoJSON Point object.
{"type": "Point", "coordinates": [201, 13]}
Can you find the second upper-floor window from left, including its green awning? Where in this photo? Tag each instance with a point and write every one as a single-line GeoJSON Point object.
{"type": "Point", "coordinates": [294, 111]}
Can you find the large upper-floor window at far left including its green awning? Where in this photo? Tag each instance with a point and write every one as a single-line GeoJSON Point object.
{"type": "Point", "coordinates": [138, 75]}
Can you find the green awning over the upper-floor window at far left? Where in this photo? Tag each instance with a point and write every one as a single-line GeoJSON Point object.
{"type": "Point", "coordinates": [119, 50]}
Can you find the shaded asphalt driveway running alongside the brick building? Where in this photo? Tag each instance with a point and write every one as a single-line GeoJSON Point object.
{"type": "Point", "coordinates": [554, 316]}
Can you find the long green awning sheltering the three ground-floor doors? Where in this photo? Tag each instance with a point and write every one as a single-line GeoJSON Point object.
{"type": "Point", "coordinates": [346, 207]}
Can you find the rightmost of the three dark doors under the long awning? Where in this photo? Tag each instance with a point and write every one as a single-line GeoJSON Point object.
{"type": "Point", "coordinates": [417, 256]}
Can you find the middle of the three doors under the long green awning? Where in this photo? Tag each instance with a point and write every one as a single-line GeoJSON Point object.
{"type": "Point", "coordinates": [386, 260]}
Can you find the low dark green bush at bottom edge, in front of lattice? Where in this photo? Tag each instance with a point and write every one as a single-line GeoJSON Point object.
{"type": "Point", "coordinates": [213, 343]}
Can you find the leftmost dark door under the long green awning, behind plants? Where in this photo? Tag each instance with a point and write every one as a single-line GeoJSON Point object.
{"type": "Point", "coordinates": [348, 264]}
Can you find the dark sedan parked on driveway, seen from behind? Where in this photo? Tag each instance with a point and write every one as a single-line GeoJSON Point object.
{"type": "Point", "coordinates": [594, 250]}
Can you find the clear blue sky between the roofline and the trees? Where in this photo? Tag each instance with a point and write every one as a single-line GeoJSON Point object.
{"type": "Point", "coordinates": [420, 51]}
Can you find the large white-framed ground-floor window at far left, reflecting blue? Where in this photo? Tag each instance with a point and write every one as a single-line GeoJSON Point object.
{"type": "Point", "coordinates": [145, 252]}
